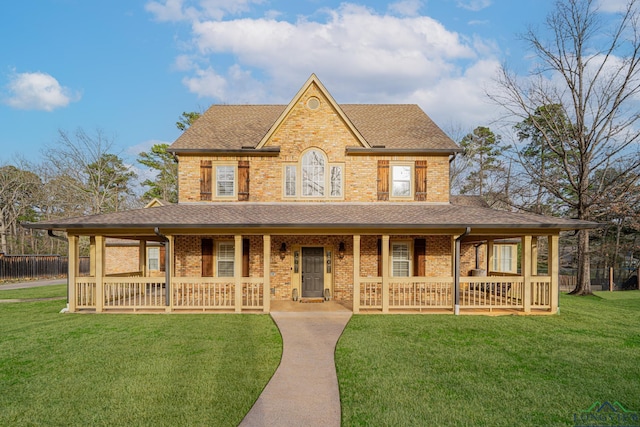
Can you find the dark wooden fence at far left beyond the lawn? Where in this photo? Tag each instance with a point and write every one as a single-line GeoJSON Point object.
{"type": "Point", "coordinates": [37, 266]}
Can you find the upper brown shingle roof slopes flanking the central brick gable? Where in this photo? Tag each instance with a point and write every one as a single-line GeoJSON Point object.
{"type": "Point", "coordinates": [232, 127]}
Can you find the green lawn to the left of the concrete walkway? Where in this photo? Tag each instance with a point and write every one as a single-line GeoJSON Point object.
{"type": "Point", "coordinates": [160, 370]}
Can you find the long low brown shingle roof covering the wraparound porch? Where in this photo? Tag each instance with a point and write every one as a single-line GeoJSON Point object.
{"type": "Point", "coordinates": [289, 216]}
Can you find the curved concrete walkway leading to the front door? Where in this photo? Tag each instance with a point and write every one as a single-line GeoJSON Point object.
{"type": "Point", "coordinates": [304, 389]}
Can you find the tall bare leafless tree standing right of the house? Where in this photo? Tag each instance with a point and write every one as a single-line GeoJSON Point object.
{"type": "Point", "coordinates": [589, 68]}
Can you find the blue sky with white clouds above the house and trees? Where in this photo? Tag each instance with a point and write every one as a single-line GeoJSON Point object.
{"type": "Point", "coordinates": [130, 68]}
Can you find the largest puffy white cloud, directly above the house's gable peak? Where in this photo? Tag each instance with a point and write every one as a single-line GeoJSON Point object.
{"type": "Point", "coordinates": [371, 53]}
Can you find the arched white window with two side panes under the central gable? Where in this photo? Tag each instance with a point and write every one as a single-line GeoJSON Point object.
{"type": "Point", "coordinates": [313, 177]}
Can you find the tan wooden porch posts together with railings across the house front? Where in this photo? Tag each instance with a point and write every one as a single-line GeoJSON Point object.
{"type": "Point", "coordinates": [134, 292]}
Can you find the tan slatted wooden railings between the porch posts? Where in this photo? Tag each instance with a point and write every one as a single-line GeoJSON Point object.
{"type": "Point", "coordinates": [211, 294]}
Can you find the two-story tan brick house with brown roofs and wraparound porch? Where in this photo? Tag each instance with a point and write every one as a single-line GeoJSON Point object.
{"type": "Point", "coordinates": [317, 199]}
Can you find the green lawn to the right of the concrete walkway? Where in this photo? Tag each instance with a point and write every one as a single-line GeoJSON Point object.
{"type": "Point", "coordinates": [491, 371]}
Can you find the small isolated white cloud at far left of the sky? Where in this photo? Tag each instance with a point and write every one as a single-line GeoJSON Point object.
{"type": "Point", "coordinates": [38, 91]}
